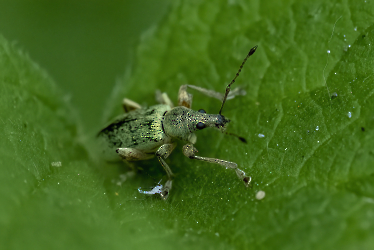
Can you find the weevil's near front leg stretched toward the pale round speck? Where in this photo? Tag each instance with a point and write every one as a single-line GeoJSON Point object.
{"type": "Point", "coordinates": [189, 150]}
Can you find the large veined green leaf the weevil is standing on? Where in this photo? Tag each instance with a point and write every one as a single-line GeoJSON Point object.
{"type": "Point", "coordinates": [309, 92]}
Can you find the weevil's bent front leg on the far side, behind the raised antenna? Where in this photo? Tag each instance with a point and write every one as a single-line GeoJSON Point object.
{"type": "Point", "coordinates": [185, 98]}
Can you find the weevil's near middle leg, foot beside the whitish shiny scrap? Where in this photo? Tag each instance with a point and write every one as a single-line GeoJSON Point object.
{"type": "Point", "coordinates": [162, 153]}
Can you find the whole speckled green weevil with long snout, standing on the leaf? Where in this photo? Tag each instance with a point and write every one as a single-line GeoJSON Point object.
{"type": "Point", "coordinates": [142, 133]}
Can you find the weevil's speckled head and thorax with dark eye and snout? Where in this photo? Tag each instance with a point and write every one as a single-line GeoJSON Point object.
{"type": "Point", "coordinates": [181, 122]}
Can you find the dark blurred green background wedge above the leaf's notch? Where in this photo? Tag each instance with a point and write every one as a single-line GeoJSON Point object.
{"type": "Point", "coordinates": [83, 45]}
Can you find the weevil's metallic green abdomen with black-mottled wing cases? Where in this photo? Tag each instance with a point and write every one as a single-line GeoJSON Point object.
{"type": "Point", "coordinates": [141, 129]}
